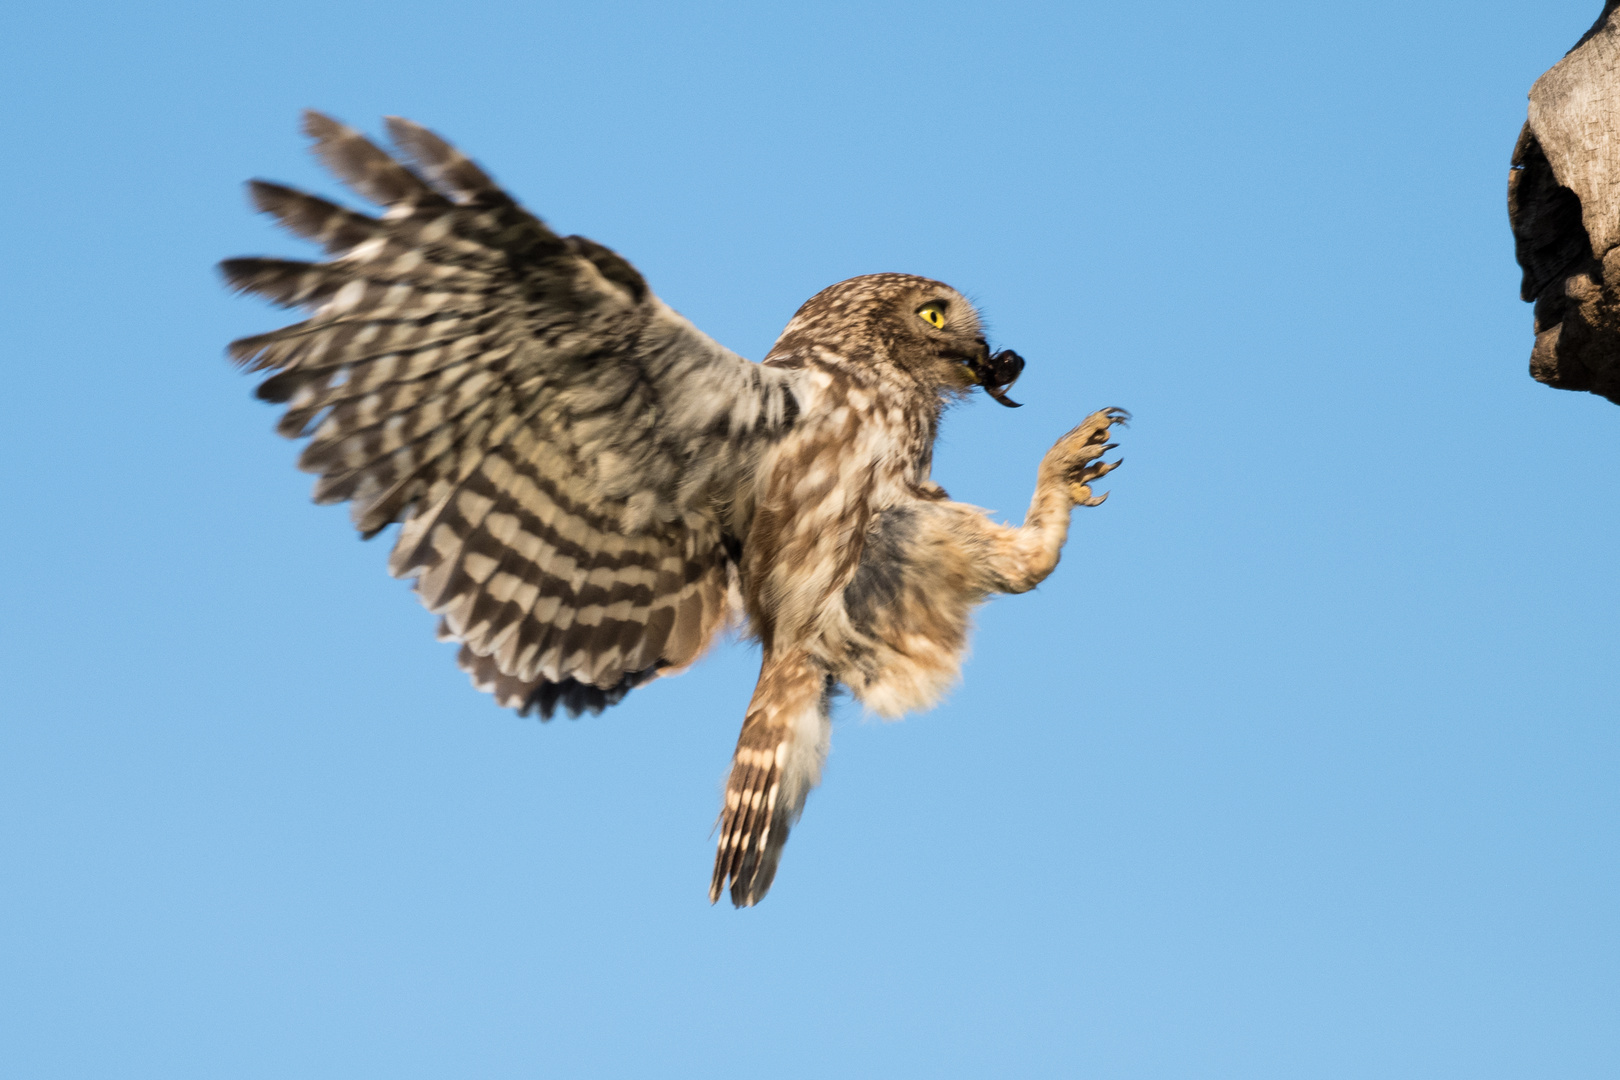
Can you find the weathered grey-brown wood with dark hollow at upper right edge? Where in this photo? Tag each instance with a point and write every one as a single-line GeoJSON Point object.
{"type": "Point", "coordinates": [1564, 205]}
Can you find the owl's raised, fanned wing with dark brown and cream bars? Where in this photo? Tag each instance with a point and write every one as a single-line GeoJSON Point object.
{"type": "Point", "coordinates": [561, 448]}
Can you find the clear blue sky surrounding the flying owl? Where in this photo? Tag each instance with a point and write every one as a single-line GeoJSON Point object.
{"type": "Point", "coordinates": [1303, 765]}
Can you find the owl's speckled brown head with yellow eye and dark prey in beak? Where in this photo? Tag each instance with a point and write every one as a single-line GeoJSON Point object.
{"type": "Point", "coordinates": [910, 325]}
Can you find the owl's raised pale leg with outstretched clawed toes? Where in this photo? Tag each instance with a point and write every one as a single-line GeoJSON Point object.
{"type": "Point", "coordinates": [1023, 558]}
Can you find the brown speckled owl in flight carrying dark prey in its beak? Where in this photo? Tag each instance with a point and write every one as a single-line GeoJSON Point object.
{"type": "Point", "coordinates": [590, 491]}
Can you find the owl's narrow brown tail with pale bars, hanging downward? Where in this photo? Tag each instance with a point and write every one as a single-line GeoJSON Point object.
{"type": "Point", "coordinates": [780, 754]}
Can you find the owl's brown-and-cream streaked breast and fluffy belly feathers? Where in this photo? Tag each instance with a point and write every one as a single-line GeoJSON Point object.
{"type": "Point", "coordinates": [851, 551]}
